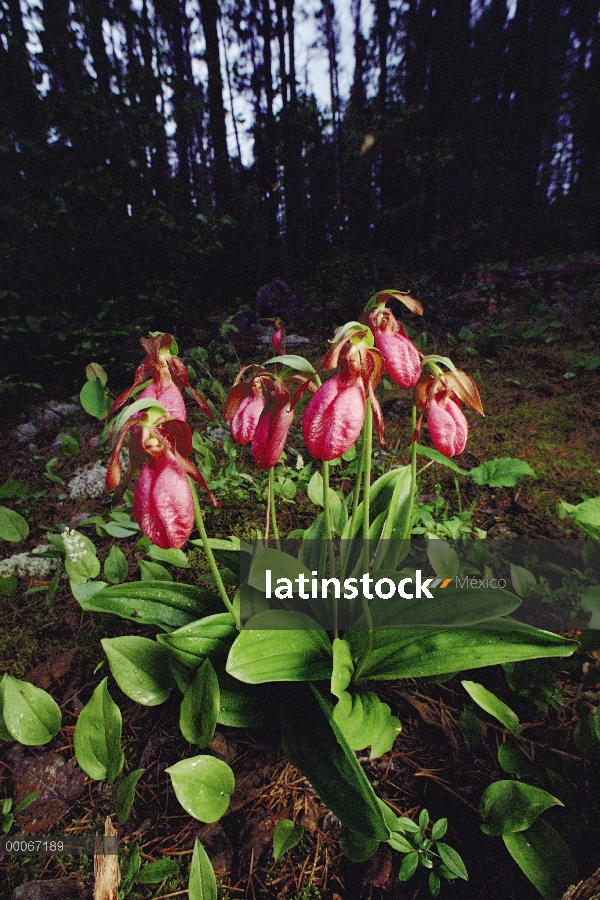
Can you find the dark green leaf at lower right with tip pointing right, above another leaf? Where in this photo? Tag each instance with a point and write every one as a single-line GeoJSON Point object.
{"type": "Point", "coordinates": [509, 806]}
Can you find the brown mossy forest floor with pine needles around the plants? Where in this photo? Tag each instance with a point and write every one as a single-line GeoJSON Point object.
{"type": "Point", "coordinates": [531, 341]}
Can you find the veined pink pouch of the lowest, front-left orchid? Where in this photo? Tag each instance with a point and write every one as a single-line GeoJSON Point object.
{"type": "Point", "coordinates": [162, 502]}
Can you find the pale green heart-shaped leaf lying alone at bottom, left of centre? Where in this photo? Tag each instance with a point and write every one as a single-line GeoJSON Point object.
{"type": "Point", "coordinates": [203, 785]}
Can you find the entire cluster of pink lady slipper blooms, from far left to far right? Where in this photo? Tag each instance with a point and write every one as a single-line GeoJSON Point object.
{"type": "Point", "coordinates": [260, 410]}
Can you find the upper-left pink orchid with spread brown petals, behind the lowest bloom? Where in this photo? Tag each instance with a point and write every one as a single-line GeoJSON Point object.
{"type": "Point", "coordinates": [169, 376]}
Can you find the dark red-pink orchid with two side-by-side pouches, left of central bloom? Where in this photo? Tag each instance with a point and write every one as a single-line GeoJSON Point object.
{"type": "Point", "coordinates": [261, 411]}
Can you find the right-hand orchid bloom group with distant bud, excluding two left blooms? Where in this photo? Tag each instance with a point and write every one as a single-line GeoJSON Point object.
{"type": "Point", "coordinates": [260, 406]}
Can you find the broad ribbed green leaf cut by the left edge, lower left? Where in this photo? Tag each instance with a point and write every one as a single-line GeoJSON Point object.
{"type": "Point", "coordinates": [30, 714]}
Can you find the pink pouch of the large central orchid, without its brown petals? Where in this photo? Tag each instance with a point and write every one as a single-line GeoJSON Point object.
{"type": "Point", "coordinates": [334, 418]}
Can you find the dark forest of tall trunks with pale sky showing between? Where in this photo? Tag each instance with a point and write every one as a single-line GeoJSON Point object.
{"type": "Point", "coordinates": [470, 133]}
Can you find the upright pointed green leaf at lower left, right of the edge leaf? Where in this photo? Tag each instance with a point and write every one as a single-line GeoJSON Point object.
{"type": "Point", "coordinates": [97, 737]}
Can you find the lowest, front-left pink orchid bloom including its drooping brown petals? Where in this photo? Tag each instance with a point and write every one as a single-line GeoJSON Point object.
{"type": "Point", "coordinates": [163, 504]}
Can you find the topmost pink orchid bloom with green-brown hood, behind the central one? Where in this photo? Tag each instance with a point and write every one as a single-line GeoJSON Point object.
{"type": "Point", "coordinates": [402, 359]}
